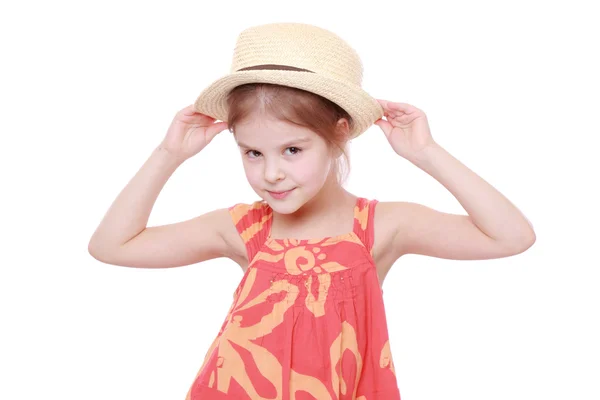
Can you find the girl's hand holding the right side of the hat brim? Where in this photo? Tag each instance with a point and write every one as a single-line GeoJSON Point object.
{"type": "Point", "coordinates": [406, 128]}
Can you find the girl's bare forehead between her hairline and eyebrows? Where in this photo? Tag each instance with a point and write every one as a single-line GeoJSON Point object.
{"type": "Point", "coordinates": [267, 131]}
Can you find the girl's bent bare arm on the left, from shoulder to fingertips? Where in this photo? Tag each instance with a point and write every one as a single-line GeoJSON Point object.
{"type": "Point", "coordinates": [123, 238]}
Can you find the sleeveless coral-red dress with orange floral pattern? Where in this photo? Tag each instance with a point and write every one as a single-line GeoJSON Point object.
{"type": "Point", "coordinates": [307, 319]}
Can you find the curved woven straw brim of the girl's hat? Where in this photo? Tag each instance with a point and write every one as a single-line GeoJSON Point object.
{"type": "Point", "coordinates": [361, 106]}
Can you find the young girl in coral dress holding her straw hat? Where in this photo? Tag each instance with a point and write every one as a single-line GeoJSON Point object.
{"type": "Point", "coordinates": [308, 317]}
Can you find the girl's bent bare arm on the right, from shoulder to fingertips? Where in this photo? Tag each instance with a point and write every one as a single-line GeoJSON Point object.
{"type": "Point", "coordinates": [493, 228]}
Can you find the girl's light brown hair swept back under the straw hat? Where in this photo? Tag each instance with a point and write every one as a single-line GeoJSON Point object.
{"type": "Point", "coordinates": [298, 107]}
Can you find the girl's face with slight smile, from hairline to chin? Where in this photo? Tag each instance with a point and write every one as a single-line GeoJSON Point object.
{"type": "Point", "coordinates": [282, 157]}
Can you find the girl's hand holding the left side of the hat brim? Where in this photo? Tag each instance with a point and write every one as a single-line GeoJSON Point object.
{"type": "Point", "coordinates": [190, 132]}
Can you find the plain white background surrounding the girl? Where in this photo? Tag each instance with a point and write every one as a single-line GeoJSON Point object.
{"type": "Point", "coordinates": [88, 90]}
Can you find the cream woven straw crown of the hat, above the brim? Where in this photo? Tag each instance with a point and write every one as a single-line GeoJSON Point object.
{"type": "Point", "coordinates": [298, 45]}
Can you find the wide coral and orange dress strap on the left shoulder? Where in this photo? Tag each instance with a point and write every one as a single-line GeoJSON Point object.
{"type": "Point", "coordinates": [252, 221]}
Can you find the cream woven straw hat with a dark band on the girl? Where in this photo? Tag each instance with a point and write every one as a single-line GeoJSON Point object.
{"type": "Point", "coordinates": [301, 56]}
